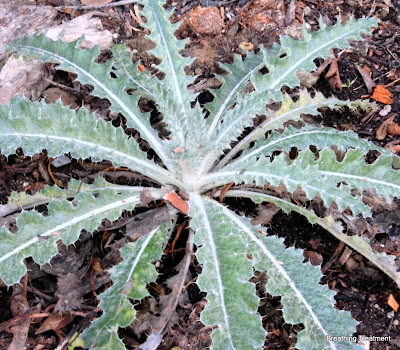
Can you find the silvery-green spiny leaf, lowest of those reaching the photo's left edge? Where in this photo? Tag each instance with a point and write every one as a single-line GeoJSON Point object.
{"type": "Point", "coordinates": [38, 234]}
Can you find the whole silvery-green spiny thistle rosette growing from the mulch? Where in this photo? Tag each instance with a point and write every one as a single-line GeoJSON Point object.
{"type": "Point", "coordinates": [206, 149]}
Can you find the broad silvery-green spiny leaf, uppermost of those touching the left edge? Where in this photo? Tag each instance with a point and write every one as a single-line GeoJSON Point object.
{"type": "Point", "coordinates": [36, 126]}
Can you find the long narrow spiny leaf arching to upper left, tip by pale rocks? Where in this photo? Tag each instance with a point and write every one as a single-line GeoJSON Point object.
{"type": "Point", "coordinates": [82, 62]}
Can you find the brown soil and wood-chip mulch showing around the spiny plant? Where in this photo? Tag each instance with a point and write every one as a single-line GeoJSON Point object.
{"type": "Point", "coordinates": [229, 27]}
